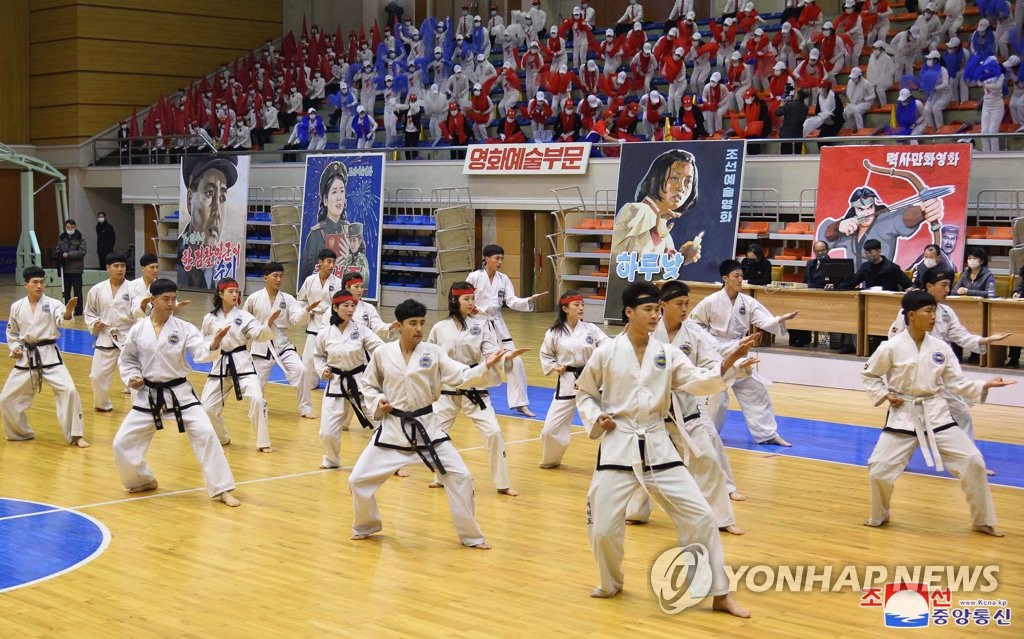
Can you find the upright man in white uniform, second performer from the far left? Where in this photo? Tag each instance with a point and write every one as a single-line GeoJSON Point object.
{"type": "Point", "coordinates": [109, 316]}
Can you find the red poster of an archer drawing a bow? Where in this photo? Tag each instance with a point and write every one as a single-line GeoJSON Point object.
{"type": "Point", "coordinates": [906, 197]}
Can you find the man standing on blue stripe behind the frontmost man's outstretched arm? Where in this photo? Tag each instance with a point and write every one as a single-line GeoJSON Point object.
{"type": "Point", "coordinates": [729, 316]}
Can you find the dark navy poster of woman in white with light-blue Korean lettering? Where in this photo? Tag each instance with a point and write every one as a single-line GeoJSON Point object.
{"type": "Point", "coordinates": [677, 214]}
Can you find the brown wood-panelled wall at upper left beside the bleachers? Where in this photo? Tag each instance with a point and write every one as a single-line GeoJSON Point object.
{"type": "Point", "coordinates": [93, 61]}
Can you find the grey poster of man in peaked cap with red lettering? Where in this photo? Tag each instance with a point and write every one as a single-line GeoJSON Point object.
{"type": "Point", "coordinates": [212, 223]}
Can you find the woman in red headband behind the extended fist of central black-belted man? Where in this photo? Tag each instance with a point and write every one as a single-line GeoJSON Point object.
{"type": "Point", "coordinates": [471, 340]}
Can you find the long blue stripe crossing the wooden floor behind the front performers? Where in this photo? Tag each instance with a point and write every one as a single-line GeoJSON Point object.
{"type": "Point", "coordinates": [814, 440]}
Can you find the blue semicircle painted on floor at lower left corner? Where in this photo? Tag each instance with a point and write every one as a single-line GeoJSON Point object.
{"type": "Point", "coordinates": [40, 541]}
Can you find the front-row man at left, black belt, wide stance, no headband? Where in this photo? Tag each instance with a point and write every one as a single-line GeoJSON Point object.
{"type": "Point", "coordinates": [153, 362]}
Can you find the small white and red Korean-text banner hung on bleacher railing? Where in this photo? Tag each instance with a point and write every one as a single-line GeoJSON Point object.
{"type": "Point", "coordinates": [569, 158]}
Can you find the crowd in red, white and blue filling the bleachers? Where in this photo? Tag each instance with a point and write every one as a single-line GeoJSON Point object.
{"type": "Point", "coordinates": [743, 74]}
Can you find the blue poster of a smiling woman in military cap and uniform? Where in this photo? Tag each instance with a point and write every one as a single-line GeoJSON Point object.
{"type": "Point", "coordinates": [343, 210]}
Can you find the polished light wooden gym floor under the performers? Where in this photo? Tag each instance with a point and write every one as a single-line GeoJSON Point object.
{"type": "Point", "coordinates": [283, 566]}
